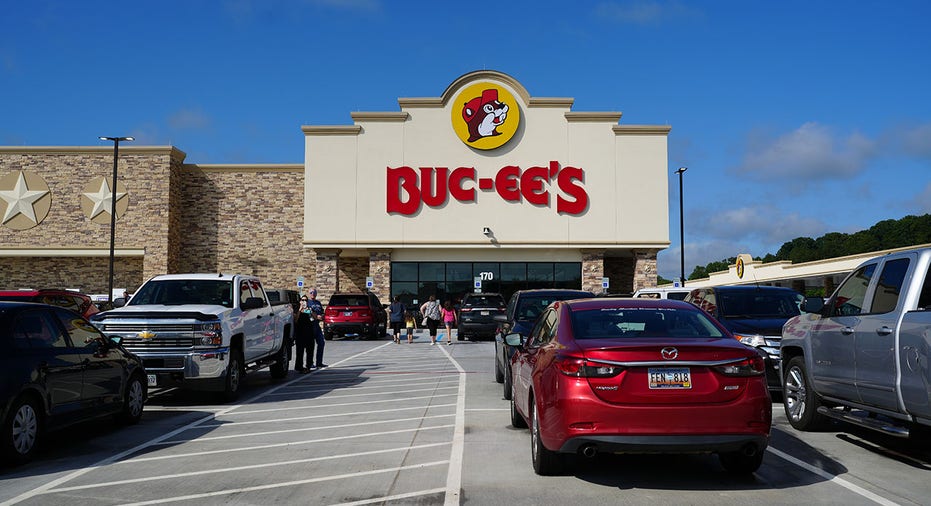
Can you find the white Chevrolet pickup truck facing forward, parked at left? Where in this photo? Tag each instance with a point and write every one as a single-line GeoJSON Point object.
{"type": "Point", "coordinates": [203, 331]}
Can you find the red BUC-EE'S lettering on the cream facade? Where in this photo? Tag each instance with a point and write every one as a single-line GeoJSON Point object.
{"type": "Point", "coordinates": [409, 188]}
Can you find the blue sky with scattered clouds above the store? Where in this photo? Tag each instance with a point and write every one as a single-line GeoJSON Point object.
{"type": "Point", "coordinates": [795, 118]}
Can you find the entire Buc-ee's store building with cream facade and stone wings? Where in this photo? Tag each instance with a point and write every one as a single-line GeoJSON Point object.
{"type": "Point", "coordinates": [482, 188]}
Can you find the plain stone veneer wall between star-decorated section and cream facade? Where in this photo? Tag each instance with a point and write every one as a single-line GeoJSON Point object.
{"type": "Point", "coordinates": [246, 220]}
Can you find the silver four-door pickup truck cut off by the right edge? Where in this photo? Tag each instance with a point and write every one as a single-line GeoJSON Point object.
{"type": "Point", "coordinates": [864, 356]}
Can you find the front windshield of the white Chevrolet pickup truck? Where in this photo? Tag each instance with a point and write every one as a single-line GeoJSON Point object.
{"type": "Point", "coordinates": [176, 292]}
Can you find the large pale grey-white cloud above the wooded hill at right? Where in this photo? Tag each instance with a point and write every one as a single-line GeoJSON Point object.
{"type": "Point", "coordinates": [812, 151]}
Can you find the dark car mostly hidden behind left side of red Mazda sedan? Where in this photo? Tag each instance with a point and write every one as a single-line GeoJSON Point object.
{"type": "Point", "coordinates": [522, 311]}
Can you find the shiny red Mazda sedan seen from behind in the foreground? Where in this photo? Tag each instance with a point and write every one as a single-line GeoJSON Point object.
{"type": "Point", "coordinates": [638, 376]}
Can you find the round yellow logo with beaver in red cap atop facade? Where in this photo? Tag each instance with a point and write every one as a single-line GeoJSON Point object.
{"type": "Point", "coordinates": [485, 116]}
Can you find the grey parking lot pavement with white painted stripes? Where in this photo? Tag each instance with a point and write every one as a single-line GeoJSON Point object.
{"type": "Point", "coordinates": [418, 424]}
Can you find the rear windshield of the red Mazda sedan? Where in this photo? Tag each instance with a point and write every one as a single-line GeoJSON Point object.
{"type": "Point", "coordinates": [627, 323]}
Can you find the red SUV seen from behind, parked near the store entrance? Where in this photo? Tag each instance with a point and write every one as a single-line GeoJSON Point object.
{"type": "Point", "coordinates": [355, 313]}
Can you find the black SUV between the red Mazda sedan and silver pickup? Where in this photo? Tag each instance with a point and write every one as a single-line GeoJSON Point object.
{"type": "Point", "coordinates": [755, 315]}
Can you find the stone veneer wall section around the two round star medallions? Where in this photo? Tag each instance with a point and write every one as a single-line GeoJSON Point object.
{"type": "Point", "coordinates": [143, 170]}
